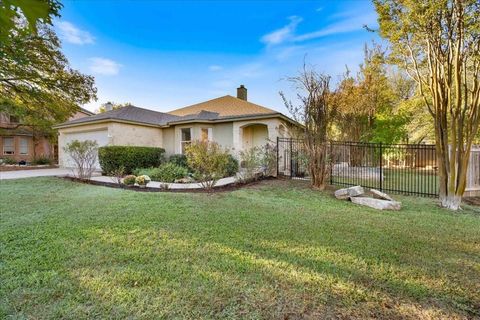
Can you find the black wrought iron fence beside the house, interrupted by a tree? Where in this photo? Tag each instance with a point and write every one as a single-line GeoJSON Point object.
{"type": "Point", "coordinates": [395, 168]}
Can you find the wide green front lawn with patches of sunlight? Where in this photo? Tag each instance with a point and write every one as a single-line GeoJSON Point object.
{"type": "Point", "coordinates": [276, 250]}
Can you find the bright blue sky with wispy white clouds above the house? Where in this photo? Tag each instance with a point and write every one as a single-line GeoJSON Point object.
{"type": "Point", "coordinates": [164, 55]}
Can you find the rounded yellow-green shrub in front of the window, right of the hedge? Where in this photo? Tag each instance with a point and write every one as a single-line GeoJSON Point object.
{"type": "Point", "coordinates": [208, 162]}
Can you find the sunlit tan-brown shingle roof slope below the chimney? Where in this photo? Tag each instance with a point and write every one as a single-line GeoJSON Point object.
{"type": "Point", "coordinates": [226, 106]}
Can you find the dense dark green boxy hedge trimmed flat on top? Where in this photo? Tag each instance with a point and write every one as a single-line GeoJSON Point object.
{"type": "Point", "coordinates": [113, 157]}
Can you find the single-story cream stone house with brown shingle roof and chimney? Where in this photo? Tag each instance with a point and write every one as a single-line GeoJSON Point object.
{"type": "Point", "coordinates": [234, 123]}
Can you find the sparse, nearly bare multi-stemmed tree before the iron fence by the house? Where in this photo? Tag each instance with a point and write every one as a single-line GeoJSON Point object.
{"type": "Point", "coordinates": [314, 111]}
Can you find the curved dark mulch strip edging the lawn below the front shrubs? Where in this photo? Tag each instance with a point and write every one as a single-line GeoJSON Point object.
{"type": "Point", "coordinates": [230, 187]}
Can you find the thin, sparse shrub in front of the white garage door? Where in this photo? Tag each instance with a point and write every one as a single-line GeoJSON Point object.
{"type": "Point", "coordinates": [84, 156]}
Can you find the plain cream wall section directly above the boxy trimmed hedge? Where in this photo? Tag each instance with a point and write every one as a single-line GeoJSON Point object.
{"type": "Point", "coordinates": [123, 134]}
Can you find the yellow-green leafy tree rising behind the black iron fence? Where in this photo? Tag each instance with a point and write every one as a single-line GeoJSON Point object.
{"type": "Point", "coordinates": [367, 103]}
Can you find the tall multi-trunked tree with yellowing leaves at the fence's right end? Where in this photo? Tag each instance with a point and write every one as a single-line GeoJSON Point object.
{"type": "Point", "coordinates": [438, 43]}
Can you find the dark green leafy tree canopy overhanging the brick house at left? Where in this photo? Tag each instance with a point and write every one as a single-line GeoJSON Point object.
{"type": "Point", "coordinates": [36, 82]}
